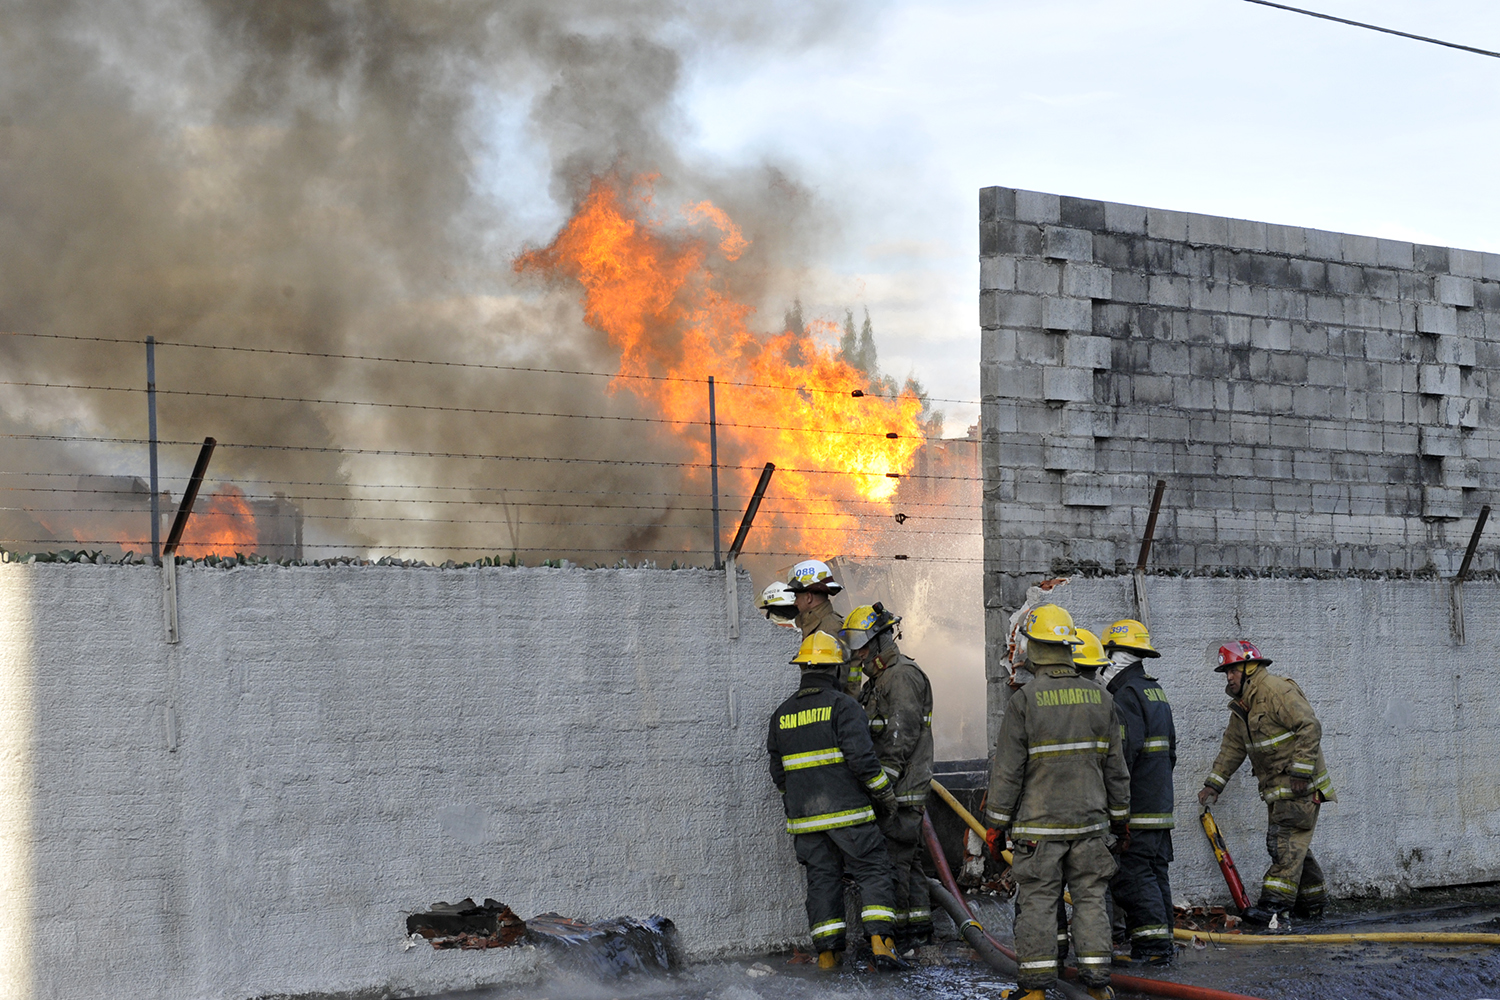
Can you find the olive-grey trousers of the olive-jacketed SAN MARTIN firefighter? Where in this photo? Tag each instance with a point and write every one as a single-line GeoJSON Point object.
{"type": "Point", "coordinates": [1040, 873]}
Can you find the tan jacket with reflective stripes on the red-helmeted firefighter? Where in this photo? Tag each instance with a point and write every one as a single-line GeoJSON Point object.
{"type": "Point", "coordinates": [1276, 728]}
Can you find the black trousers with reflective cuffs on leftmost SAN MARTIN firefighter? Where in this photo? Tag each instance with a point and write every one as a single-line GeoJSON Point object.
{"type": "Point", "coordinates": [826, 857]}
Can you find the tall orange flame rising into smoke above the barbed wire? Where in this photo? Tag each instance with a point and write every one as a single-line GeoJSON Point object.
{"type": "Point", "coordinates": [656, 292]}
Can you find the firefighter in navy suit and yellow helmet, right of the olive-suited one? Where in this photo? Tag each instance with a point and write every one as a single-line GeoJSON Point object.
{"type": "Point", "coordinates": [1141, 888]}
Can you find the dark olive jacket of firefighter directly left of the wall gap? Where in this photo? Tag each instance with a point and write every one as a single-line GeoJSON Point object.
{"type": "Point", "coordinates": [899, 702]}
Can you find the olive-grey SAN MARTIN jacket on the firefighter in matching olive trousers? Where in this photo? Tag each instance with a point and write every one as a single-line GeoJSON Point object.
{"type": "Point", "coordinates": [1058, 771]}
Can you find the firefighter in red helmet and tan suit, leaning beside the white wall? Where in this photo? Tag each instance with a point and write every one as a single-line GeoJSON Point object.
{"type": "Point", "coordinates": [1273, 723]}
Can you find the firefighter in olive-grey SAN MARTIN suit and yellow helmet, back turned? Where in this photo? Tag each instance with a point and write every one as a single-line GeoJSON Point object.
{"type": "Point", "coordinates": [1058, 785]}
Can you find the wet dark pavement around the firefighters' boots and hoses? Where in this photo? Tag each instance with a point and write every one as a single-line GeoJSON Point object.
{"type": "Point", "coordinates": [1271, 972]}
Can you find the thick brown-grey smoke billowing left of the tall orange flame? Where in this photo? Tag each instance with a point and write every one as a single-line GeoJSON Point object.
{"type": "Point", "coordinates": [326, 178]}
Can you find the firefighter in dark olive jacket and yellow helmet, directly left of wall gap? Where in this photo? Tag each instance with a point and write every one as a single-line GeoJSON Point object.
{"type": "Point", "coordinates": [899, 701]}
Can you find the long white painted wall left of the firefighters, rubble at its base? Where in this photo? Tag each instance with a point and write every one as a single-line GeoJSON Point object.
{"type": "Point", "coordinates": [359, 743]}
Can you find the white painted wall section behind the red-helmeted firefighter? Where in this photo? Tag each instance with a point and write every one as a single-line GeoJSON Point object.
{"type": "Point", "coordinates": [1411, 722]}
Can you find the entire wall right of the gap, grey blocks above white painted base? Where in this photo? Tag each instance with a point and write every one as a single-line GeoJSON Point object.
{"type": "Point", "coordinates": [1322, 410]}
